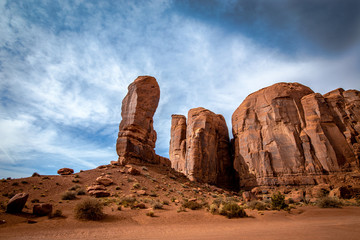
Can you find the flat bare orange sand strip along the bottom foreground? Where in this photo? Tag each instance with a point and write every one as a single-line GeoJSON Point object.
{"type": "Point", "coordinates": [301, 223]}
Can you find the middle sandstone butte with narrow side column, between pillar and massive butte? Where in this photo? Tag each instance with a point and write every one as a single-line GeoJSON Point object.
{"type": "Point", "coordinates": [201, 148]}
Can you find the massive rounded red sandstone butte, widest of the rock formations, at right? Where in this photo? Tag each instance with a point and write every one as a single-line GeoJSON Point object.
{"type": "Point", "coordinates": [287, 134]}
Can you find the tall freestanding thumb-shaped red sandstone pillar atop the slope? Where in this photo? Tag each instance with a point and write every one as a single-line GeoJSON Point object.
{"type": "Point", "coordinates": [137, 137]}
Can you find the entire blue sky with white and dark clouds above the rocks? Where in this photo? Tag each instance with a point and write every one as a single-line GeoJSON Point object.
{"type": "Point", "coordinates": [65, 66]}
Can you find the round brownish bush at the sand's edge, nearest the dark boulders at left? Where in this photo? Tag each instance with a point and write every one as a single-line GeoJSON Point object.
{"type": "Point", "coordinates": [89, 209]}
